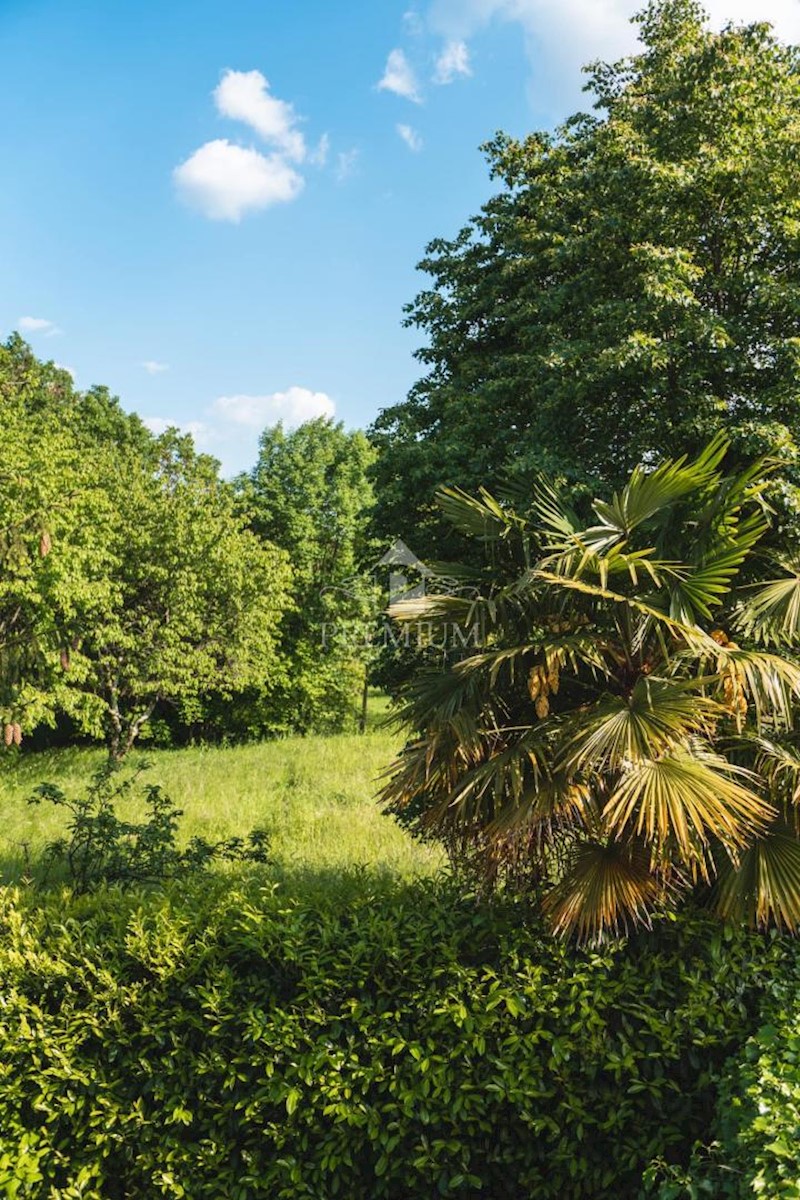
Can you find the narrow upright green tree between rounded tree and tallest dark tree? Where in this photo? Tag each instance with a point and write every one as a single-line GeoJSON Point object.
{"type": "Point", "coordinates": [310, 495]}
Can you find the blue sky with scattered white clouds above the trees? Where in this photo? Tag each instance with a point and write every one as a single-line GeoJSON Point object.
{"type": "Point", "coordinates": [216, 208]}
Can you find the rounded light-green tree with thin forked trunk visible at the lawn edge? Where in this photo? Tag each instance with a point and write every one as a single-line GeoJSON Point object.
{"type": "Point", "coordinates": [194, 599]}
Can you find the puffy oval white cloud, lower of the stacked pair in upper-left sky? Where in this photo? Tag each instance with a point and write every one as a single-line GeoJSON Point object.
{"type": "Point", "coordinates": [226, 182]}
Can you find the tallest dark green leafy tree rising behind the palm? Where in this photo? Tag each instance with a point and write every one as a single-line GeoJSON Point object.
{"type": "Point", "coordinates": [633, 287]}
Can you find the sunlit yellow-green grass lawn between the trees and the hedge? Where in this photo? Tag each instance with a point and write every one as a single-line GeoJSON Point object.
{"type": "Point", "coordinates": [315, 796]}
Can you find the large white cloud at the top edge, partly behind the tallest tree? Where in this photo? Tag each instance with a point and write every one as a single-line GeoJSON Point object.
{"type": "Point", "coordinates": [562, 38]}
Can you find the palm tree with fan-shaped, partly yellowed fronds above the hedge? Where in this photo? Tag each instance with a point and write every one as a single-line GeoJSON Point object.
{"type": "Point", "coordinates": [625, 731]}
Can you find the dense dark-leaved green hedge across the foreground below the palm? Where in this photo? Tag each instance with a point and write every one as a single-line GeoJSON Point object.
{"type": "Point", "coordinates": [387, 1042]}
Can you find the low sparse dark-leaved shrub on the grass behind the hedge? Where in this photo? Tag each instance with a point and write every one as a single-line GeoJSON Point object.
{"type": "Point", "coordinates": [101, 848]}
